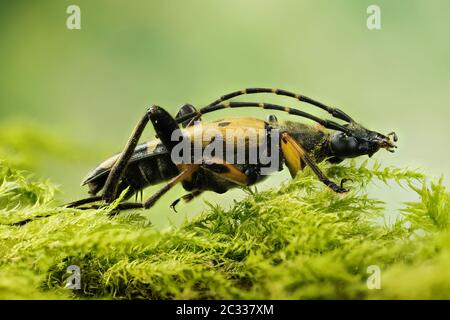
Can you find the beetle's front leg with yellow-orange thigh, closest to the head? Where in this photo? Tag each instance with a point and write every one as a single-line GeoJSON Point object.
{"type": "Point", "coordinates": [294, 154]}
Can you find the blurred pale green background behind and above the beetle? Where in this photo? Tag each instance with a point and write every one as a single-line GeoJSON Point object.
{"type": "Point", "coordinates": [70, 98]}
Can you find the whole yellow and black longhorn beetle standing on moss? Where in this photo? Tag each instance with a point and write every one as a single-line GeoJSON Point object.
{"type": "Point", "coordinates": [300, 145]}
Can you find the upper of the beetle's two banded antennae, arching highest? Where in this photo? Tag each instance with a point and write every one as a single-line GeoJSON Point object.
{"type": "Point", "coordinates": [335, 112]}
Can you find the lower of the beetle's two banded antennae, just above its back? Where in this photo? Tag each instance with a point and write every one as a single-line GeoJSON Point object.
{"type": "Point", "coordinates": [269, 106]}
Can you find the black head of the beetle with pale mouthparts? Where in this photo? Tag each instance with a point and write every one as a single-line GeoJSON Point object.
{"type": "Point", "coordinates": [360, 141]}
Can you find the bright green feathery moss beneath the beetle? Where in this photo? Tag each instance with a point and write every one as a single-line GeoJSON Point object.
{"type": "Point", "coordinates": [298, 241]}
